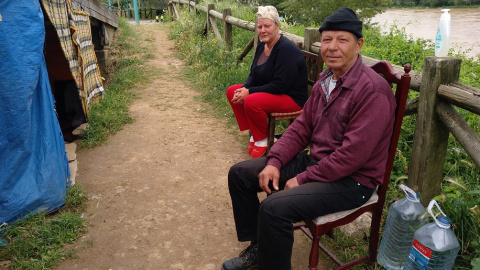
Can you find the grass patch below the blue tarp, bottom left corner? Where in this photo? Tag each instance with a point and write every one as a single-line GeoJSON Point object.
{"type": "Point", "coordinates": [39, 241]}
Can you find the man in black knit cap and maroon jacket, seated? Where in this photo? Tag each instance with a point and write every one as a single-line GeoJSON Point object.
{"type": "Point", "coordinates": [348, 123]}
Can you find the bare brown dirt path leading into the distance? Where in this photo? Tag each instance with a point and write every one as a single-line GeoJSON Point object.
{"type": "Point", "coordinates": [158, 196]}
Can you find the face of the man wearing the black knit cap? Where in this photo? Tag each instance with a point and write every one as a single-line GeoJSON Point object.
{"type": "Point", "coordinates": [339, 50]}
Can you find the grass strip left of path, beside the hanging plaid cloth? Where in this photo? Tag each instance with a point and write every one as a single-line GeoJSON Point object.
{"type": "Point", "coordinates": [111, 114]}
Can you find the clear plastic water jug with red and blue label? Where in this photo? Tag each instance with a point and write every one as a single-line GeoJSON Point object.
{"type": "Point", "coordinates": [435, 246]}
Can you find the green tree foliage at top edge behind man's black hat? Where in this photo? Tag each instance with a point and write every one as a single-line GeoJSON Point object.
{"type": "Point", "coordinates": [313, 12]}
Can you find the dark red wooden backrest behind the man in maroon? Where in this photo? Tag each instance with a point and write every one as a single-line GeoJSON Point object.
{"type": "Point", "coordinates": [402, 82]}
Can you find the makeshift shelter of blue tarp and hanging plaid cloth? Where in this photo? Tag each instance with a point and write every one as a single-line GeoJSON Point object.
{"type": "Point", "coordinates": [34, 171]}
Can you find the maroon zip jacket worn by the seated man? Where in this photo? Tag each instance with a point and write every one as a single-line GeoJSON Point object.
{"type": "Point", "coordinates": [349, 135]}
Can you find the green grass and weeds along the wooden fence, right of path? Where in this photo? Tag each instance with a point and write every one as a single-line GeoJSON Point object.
{"type": "Point", "coordinates": [213, 69]}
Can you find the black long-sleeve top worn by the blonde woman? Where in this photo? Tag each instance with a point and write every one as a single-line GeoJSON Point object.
{"type": "Point", "coordinates": [284, 72]}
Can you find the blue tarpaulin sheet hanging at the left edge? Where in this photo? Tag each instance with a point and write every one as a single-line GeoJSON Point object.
{"type": "Point", "coordinates": [34, 169]}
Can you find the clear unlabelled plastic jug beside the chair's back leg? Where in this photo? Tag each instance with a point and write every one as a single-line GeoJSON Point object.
{"type": "Point", "coordinates": [402, 220]}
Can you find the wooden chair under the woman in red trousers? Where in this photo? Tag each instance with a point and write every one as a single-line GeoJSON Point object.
{"type": "Point", "coordinates": [314, 67]}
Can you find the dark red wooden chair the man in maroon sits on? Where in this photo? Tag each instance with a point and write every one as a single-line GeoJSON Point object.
{"type": "Point", "coordinates": [322, 225]}
